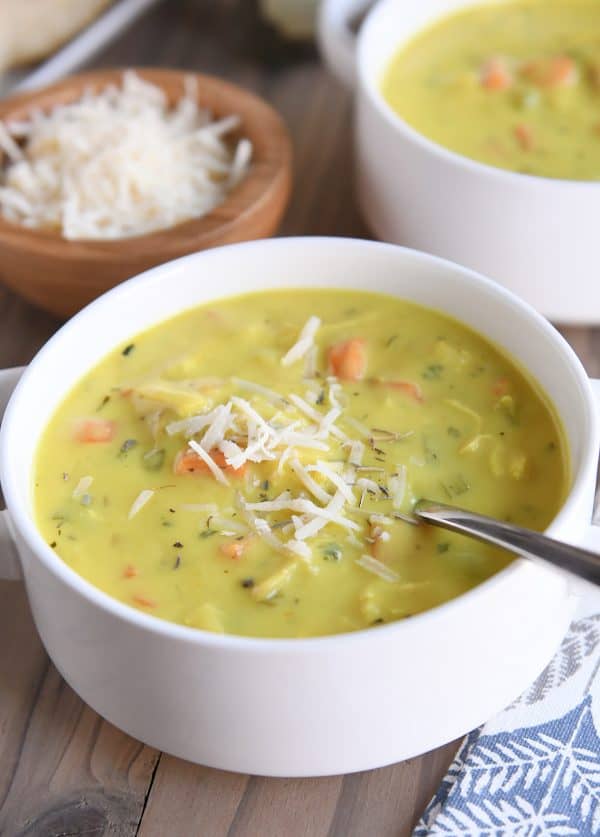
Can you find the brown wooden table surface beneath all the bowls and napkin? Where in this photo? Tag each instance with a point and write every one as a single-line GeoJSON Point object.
{"type": "Point", "coordinates": [63, 769]}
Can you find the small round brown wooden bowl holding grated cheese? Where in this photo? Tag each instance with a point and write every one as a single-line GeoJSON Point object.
{"type": "Point", "coordinates": [62, 276]}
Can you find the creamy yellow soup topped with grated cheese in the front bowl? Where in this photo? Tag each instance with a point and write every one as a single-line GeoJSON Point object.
{"type": "Point", "coordinates": [249, 467]}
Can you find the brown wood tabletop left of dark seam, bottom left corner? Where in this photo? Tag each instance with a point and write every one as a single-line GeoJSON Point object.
{"type": "Point", "coordinates": [63, 769]}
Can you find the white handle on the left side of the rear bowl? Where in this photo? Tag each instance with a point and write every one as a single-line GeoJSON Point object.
{"type": "Point", "coordinates": [336, 39]}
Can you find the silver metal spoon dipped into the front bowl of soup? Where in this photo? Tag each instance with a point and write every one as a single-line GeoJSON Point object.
{"type": "Point", "coordinates": [515, 539]}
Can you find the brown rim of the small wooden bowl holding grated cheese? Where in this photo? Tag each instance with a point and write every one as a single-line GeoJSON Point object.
{"type": "Point", "coordinates": [228, 218]}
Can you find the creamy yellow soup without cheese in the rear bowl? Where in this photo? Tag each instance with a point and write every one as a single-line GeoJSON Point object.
{"type": "Point", "coordinates": [512, 84]}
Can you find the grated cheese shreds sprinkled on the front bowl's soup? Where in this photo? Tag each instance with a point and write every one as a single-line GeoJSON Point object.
{"type": "Point", "coordinates": [331, 489]}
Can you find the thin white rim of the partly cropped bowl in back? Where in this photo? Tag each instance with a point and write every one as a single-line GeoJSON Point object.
{"type": "Point", "coordinates": [369, 82]}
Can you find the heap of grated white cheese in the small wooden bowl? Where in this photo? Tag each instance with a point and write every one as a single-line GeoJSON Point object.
{"type": "Point", "coordinates": [119, 163]}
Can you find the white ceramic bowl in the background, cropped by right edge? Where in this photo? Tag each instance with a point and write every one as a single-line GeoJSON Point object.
{"type": "Point", "coordinates": [537, 236]}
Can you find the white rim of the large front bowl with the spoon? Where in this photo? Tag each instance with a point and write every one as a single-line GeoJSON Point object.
{"type": "Point", "coordinates": [41, 551]}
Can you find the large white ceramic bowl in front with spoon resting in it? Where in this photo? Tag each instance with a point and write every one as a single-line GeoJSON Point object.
{"type": "Point", "coordinates": [308, 706]}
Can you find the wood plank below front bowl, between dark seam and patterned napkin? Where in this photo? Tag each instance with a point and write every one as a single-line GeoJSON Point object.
{"type": "Point", "coordinates": [386, 802]}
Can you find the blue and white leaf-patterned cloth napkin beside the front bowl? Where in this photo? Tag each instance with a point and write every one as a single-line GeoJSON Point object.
{"type": "Point", "coordinates": [534, 769]}
